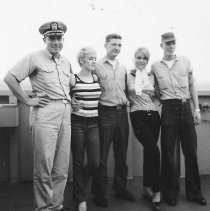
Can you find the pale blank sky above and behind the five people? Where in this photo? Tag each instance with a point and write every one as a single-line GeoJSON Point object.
{"type": "Point", "coordinates": [140, 22]}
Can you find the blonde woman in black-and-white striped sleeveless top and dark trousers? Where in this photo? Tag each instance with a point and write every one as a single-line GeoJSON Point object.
{"type": "Point", "coordinates": [85, 134]}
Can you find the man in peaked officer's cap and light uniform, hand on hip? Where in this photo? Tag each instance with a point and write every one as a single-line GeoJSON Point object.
{"type": "Point", "coordinates": [49, 74]}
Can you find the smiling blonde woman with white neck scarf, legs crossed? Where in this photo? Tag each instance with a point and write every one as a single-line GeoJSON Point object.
{"type": "Point", "coordinates": [145, 120]}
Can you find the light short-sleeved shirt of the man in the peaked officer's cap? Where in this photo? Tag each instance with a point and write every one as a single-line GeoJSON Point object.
{"type": "Point", "coordinates": [48, 77]}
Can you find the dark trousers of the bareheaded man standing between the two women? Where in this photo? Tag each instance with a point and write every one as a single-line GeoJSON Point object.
{"type": "Point", "coordinates": [113, 127]}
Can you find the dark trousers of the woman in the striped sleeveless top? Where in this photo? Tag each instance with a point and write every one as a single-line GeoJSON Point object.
{"type": "Point", "coordinates": [85, 137]}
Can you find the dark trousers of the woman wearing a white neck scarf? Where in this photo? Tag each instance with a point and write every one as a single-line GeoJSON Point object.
{"type": "Point", "coordinates": [146, 126]}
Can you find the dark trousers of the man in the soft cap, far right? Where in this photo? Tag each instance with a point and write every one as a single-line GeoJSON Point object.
{"type": "Point", "coordinates": [177, 122]}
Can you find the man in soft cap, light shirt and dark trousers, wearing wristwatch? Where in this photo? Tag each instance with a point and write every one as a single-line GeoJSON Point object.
{"type": "Point", "coordinates": [174, 80]}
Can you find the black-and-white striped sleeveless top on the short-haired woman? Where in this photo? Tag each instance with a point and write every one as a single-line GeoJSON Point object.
{"type": "Point", "coordinates": [88, 94]}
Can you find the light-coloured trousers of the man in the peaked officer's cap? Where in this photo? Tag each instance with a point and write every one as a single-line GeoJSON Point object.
{"type": "Point", "coordinates": [51, 131]}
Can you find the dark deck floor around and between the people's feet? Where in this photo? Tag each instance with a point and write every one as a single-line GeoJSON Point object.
{"type": "Point", "coordinates": [19, 197]}
